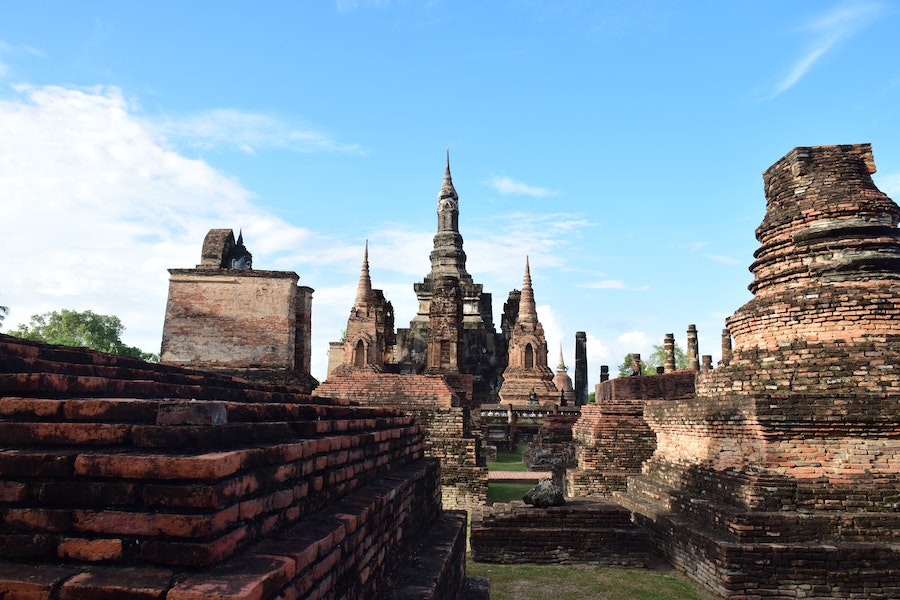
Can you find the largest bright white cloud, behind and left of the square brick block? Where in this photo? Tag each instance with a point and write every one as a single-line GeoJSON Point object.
{"type": "Point", "coordinates": [97, 207]}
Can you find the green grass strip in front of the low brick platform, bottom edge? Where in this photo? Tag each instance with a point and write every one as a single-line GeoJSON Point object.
{"type": "Point", "coordinates": [577, 582]}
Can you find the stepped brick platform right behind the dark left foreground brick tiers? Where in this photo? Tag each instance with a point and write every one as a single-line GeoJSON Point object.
{"type": "Point", "coordinates": [442, 405]}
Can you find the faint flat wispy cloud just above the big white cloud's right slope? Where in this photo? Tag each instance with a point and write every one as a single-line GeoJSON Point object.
{"type": "Point", "coordinates": [249, 131]}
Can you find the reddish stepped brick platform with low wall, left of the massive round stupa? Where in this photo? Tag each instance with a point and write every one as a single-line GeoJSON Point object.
{"type": "Point", "coordinates": [612, 439]}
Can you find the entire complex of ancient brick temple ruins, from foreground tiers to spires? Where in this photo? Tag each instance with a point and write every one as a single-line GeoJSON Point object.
{"type": "Point", "coordinates": [774, 475]}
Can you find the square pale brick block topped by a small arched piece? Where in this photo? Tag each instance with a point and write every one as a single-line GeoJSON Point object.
{"type": "Point", "coordinates": [224, 315]}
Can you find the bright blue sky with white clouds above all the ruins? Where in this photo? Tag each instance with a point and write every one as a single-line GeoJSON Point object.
{"type": "Point", "coordinates": [619, 145]}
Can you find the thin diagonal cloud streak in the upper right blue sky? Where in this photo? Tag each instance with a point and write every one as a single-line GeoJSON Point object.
{"type": "Point", "coordinates": [827, 31]}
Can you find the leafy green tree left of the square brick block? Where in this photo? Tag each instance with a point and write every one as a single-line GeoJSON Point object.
{"type": "Point", "coordinates": [81, 329]}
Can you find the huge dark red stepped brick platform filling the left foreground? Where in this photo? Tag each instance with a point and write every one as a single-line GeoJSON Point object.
{"type": "Point", "coordinates": [124, 479]}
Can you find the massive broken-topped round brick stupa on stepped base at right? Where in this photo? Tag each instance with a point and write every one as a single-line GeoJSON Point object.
{"type": "Point", "coordinates": [781, 478]}
